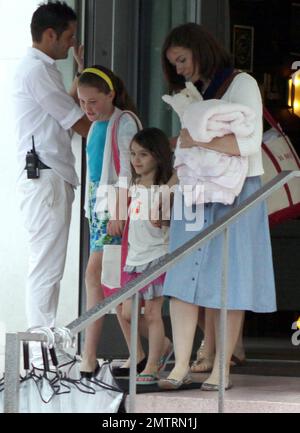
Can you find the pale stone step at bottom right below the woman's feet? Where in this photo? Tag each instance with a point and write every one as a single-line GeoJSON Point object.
{"type": "Point", "coordinates": [250, 394]}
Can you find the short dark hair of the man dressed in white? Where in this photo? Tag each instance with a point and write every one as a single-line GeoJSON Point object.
{"type": "Point", "coordinates": [55, 15]}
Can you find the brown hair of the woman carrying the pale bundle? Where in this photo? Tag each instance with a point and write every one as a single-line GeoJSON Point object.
{"type": "Point", "coordinates": [207, 53]}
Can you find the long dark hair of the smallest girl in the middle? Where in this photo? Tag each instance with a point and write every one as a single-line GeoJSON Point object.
{"type": "Point", "coordinates": [157, 143]}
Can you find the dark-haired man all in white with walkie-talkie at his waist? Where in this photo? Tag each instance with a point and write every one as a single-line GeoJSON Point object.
{"type": "Point", "coordinates": [45, 111]}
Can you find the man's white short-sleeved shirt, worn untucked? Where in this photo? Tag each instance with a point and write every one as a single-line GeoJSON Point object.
{"type": "Point", "coordinates": [45, 110]}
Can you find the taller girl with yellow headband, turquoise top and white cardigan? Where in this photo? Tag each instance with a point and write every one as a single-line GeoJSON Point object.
{"type": "Point", "coordinates": [103, 97]}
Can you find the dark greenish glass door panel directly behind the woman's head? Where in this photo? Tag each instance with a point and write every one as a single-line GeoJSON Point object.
{"type": "Point", "coordinates": [157, 18]}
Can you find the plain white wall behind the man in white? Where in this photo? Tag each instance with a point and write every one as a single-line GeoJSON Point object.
{"type": "Point", "coordinates": [15, 17]}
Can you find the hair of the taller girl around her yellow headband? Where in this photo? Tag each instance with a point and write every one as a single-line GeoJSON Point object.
{"type": "Point", "coordinates": [122, 100]}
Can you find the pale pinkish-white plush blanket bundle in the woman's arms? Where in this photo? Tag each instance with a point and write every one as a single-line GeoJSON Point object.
{"type": "Point", "coordinates": [210, 176]}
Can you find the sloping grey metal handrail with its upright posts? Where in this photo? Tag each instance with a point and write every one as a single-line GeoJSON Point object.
{"type": "Point", "coordinates": [132, 289]}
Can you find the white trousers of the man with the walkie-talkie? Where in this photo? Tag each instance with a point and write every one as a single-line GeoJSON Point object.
{"type": "Point", "coordinates": [46, 205]}
